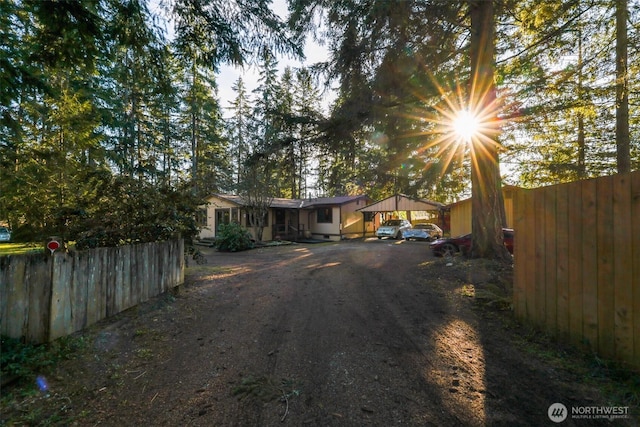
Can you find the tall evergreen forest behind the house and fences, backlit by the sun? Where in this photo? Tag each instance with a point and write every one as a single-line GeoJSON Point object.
{"type": "Point", "coordinates": [112, 132]}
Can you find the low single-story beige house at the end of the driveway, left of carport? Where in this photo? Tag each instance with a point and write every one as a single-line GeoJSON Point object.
{"type": "Point", "coordinates": [326, 218]}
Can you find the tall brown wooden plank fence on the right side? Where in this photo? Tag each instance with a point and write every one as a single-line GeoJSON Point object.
{"type": "Point", "coordinates": [577, 263]}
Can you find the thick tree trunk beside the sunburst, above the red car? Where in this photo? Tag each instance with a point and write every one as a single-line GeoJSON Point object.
{"type": "Point", "coordinates": [488, 214]}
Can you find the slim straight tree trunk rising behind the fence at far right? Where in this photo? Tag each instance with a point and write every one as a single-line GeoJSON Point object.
{"type": "Point", "coordinates": [622, 89]}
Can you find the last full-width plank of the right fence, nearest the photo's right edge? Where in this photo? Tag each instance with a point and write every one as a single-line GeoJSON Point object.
{"type": "Point", "coordinates": [622, 267]}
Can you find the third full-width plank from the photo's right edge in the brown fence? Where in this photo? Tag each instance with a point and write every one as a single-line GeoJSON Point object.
{"type": "Point", "coordinates": [589, 264]}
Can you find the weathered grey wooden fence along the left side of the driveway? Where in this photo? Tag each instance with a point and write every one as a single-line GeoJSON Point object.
{"type": "Point", "coordinates": [45, 297]}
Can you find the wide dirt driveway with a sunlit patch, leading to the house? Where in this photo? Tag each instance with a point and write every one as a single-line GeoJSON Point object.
{"type": "Point", "coordinates": [346, 334]}
